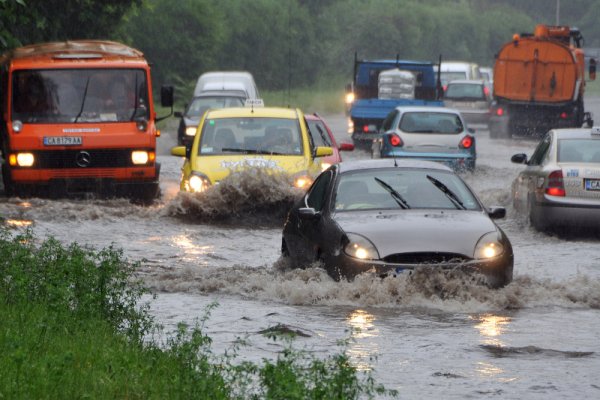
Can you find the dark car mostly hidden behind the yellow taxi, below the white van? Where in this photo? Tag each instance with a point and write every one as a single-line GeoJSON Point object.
{"type": "Point", "coordinates": [190, 118]}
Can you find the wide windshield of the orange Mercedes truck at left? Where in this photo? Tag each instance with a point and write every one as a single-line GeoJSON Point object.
{"type": "Point", "coordinates": [79, 95]}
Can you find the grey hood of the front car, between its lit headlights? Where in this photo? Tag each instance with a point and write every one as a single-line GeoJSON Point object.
{"type": "Point", "coordinates": [402, 231]}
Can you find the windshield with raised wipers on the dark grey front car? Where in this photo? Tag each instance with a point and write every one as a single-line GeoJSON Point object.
{"type": "Point", "coordinates": [401, 188]}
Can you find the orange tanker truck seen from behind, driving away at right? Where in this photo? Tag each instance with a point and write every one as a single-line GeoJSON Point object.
{"type": "Point", "coordinates": [539, 82]}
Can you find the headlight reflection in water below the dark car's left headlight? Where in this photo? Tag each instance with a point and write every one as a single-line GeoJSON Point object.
{"type": "Point", "coordinates": [363, 347]}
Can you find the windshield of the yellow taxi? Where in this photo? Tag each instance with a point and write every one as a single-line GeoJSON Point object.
{"type": "Point", "coordinates": [277, 136]}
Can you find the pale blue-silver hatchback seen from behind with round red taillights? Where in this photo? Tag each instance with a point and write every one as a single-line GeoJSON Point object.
{"type": "Point", "coordinates": [427, 133]}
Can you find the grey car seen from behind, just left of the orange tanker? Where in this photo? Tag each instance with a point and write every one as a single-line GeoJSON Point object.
{"type": "Point", "coordinates": [471, 97]}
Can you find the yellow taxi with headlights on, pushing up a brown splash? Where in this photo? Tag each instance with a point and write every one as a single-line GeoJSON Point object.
{"type": "Point", "coordinates": [233, 139]}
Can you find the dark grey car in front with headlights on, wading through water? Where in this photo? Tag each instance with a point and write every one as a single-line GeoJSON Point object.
{"type": "Point", "coordinates": [393, 216]}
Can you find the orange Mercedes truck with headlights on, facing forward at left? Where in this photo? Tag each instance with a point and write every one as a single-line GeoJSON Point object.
{"type": "Point", "coordinates": [78, 117]}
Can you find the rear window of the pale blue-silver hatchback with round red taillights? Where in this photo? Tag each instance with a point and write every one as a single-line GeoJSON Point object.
{"type": "Point", "coordinates": [430, 122]}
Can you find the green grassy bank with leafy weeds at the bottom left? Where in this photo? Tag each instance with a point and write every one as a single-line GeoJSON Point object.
{"type": "Point", "coordinates": [72, 327]}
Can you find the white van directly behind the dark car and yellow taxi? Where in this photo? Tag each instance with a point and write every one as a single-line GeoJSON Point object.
{"type": "Point", "coordinates": [232, 81]}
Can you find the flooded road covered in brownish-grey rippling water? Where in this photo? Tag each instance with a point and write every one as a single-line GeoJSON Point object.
{"type": "Point", "coordinates": [427, 336]}
